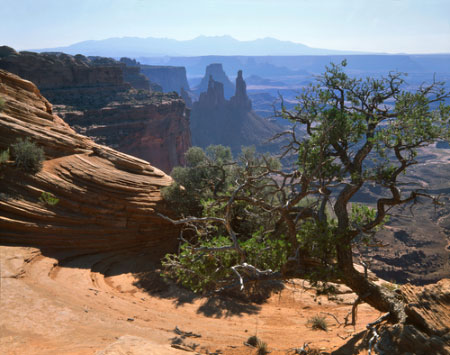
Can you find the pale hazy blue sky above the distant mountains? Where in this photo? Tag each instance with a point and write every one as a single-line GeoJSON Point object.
{"type": "Point", "coordinates": [394, 26]}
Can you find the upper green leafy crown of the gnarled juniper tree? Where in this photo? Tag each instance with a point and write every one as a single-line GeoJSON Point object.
{"type": "Point", "coordinates": [344, 114]}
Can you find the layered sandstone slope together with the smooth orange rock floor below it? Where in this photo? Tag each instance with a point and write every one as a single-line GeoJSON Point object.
{"type": "Point", "coordinates": [82, 277]}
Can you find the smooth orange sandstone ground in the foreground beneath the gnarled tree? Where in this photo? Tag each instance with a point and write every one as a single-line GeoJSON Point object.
{"type": "Point", "coordinates": [72, 303]}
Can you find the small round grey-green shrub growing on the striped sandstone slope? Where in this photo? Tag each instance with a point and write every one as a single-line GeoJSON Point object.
{"type": "Point", "coordinates": [27, 155]}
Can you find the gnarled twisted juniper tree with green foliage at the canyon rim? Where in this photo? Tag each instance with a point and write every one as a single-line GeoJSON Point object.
{"type": "Point", "coordinates": [270, 222]}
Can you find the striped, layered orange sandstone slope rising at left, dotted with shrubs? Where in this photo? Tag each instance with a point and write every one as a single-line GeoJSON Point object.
{"type": "Point", "coordinates": [107, 199]}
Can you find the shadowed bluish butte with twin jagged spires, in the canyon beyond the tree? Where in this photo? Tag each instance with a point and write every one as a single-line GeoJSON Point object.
{"type": "Point", "coordinates": [215, 120]}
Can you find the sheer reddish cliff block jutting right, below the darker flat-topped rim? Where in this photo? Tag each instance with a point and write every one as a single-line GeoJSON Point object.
{"type": "Point", "coordinates": [161, 140]}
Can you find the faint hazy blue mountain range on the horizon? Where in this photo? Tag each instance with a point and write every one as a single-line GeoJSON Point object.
{"type": "Point", "coordinates": [200, 46]}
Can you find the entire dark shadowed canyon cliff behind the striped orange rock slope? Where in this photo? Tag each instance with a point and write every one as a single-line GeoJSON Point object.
{"type": "Point", "coordinates": [94, 98]}
